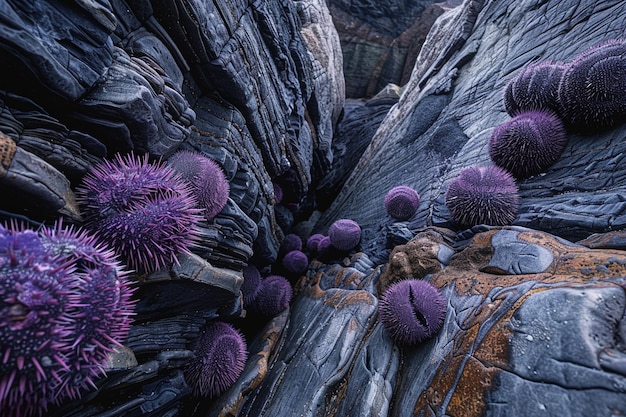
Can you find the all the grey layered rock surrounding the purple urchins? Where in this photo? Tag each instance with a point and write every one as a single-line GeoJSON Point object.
{"type": "Point", "coordinates": [536, 311]}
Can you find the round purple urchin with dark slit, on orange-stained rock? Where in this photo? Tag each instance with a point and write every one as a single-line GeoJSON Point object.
{"type": "Point", "coordinates": [412, 311]}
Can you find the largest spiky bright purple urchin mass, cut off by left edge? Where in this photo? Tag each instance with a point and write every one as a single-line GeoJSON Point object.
{"type": "Point", "coordinates": [65, 305]}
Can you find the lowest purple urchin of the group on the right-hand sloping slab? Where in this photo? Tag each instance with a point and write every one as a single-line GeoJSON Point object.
{"type": "Point", "coordinates": [483, 195]}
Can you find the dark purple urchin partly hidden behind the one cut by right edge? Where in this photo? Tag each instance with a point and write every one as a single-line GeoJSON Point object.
{"type": "Point", "coordinates": [534, 87]}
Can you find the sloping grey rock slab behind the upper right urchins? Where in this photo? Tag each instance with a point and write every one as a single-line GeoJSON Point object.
{"type": "Point", "coordinates": [454, 100]}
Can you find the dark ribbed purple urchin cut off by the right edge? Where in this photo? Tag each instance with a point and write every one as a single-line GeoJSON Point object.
{"type": "Point", "coordinates": [591, 92]}
